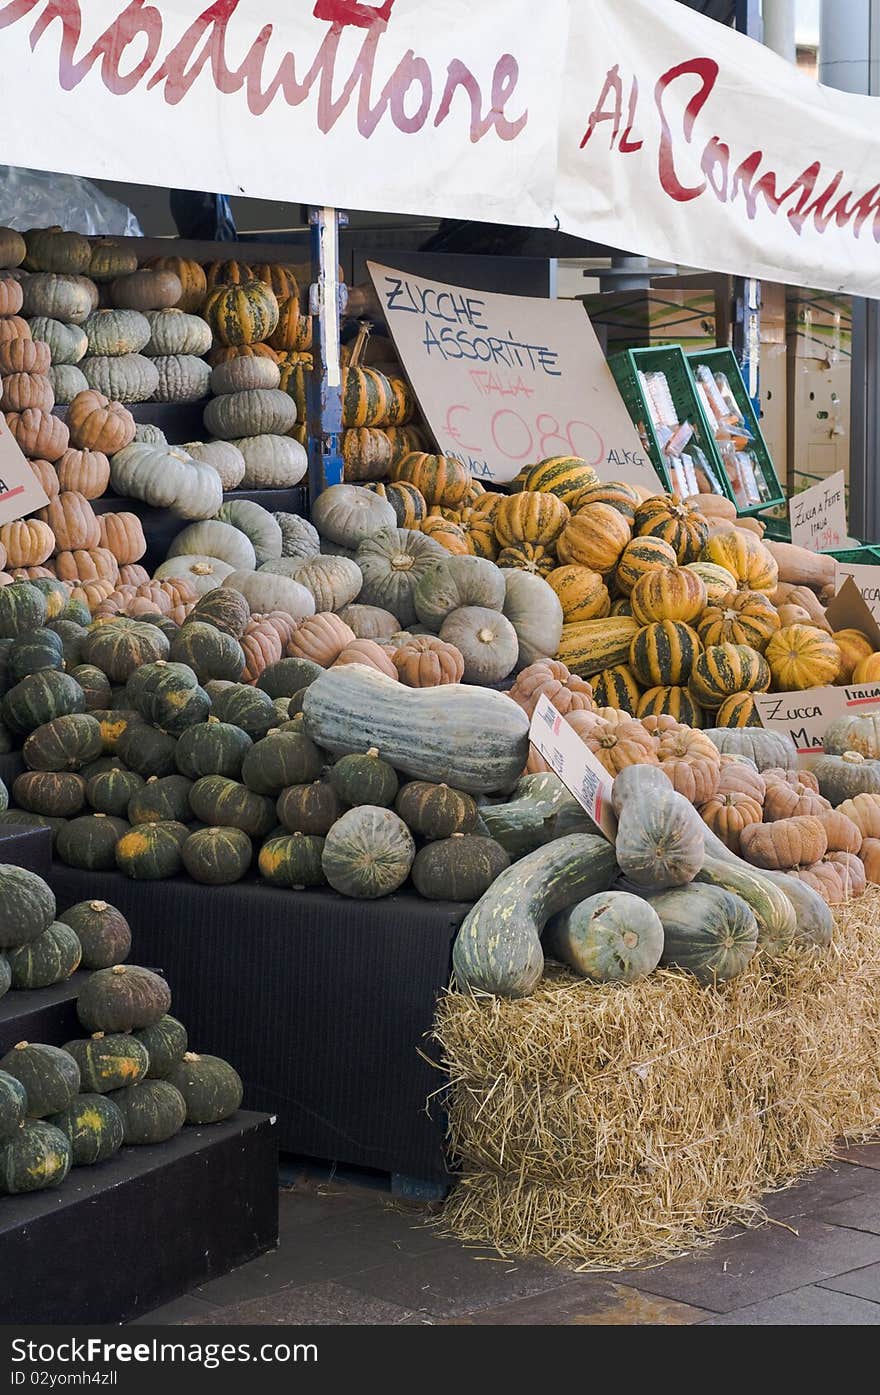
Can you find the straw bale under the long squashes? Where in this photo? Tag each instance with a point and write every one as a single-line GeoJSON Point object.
{"type": "Point", "coordinates": [610, 1125]}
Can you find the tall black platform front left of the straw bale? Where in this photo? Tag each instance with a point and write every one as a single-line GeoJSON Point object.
{"type": "Point", "coordinates": [321, 1002]}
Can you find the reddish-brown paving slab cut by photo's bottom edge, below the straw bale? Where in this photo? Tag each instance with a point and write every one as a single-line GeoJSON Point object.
{"type": "Point", "coordinates": [586, 1304]}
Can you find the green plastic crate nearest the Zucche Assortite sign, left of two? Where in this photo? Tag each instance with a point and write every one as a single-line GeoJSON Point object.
{"type": "Point", "coordinates": [670, 361]}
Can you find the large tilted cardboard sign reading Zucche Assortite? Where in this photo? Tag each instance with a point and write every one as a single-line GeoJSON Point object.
{"type": "Point", "coordinates": [507, 382]}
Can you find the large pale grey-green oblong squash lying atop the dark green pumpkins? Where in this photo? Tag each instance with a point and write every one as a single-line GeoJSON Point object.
{"type": "Point", "coordinates": [469, 739]}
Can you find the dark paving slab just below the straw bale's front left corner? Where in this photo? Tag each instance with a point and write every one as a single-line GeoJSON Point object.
{"type": "Point", "coordinates": [457, 1283]}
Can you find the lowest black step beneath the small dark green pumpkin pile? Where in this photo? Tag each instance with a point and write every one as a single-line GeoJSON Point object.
{"type": "Point", "coordinates": [122, 1238]}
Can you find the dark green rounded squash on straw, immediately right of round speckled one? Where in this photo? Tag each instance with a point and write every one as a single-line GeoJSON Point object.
{"type": "Point", "coordinates": [708, 931]}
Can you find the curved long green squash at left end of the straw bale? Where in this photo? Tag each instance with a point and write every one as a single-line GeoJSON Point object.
{"type": "Point", "coordinates": [499, 948]}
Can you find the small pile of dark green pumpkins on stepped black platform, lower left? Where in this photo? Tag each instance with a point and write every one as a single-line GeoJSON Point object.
{"type": "Point", "coordinates": [132, 1080]}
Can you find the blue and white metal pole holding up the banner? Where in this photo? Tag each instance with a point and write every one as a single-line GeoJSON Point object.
{"type": "Point", "coordinates": [327, 301]}
